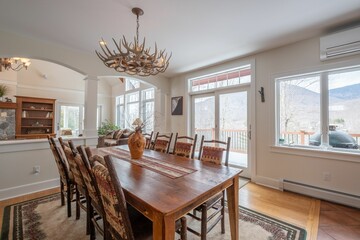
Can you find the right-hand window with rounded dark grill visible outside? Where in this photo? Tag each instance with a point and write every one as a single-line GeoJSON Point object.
{"type": "Point", "coordinates": [320, 109]}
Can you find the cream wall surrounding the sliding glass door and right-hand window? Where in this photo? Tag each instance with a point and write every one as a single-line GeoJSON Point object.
{"type": "Point", "coordinates": [272, 163]}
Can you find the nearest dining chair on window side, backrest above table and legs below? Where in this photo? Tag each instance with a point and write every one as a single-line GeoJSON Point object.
{"type": "Point", "coordinates": [215, 206]}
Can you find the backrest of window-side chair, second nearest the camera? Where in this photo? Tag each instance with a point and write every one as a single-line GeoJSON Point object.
{"type": "Point", "coordinates": [185, 146]}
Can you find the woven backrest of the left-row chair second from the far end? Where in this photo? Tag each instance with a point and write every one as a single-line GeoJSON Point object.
{"type": "Point", "coordinates": [74, 168]}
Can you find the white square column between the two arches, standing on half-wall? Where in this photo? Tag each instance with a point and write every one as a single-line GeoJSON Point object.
{"type": "Point", "coordinates": [91, 88]}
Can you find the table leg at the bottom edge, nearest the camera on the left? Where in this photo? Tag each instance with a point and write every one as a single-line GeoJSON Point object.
{"type": "Point", "coordinates": [164, 228]}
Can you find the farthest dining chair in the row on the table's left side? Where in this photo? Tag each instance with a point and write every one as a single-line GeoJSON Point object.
{"type": "Point", "coordinates": [67, 186]}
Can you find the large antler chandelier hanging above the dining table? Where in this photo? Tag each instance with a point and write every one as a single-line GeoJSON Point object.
{"type": "Point", "coordinates": [133, 58]}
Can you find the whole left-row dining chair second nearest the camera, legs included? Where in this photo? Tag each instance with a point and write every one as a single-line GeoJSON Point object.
{"type": "Point", "coordinates": [95, 206]}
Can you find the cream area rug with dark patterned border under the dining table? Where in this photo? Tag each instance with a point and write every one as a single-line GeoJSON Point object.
{"type": "Point", "coordinates": [44, 218]}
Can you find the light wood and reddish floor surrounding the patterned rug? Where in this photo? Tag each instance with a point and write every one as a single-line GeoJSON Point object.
{"type": "Point", "coordinates": [293, 208]}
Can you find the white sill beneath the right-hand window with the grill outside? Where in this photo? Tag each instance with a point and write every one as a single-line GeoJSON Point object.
{"type": "Point", "coordinates": [317, 153]}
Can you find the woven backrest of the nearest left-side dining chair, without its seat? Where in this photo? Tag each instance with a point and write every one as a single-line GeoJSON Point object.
{"type": "Point", "coordinates": [113, 199]}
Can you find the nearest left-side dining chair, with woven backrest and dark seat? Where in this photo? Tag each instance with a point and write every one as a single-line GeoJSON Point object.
{"type": "Point", "coordinates": [123, 221]}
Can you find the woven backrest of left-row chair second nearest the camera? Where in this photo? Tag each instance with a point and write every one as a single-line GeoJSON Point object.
{"type": "Point", "coordinates": [83, 163]}
